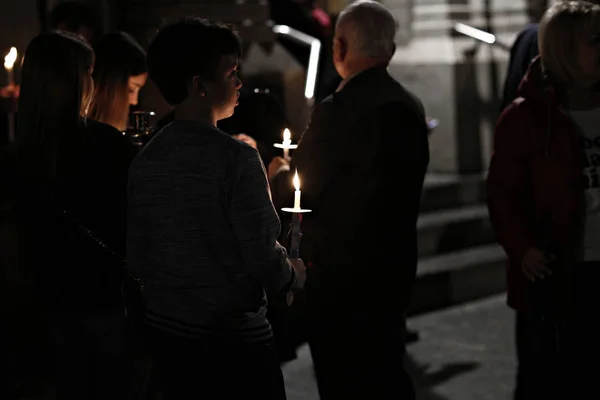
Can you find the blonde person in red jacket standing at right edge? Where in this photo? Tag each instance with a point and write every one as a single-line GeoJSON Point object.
{"type": "Point", "coordinates": [543, 193]}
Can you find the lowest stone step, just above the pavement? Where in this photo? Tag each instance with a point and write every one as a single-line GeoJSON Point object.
{"type": "Point", "coordinates": [454, 278]}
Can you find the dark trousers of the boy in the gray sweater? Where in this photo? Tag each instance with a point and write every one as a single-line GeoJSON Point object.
{"type": "Point", "coordinates": [196, 369]}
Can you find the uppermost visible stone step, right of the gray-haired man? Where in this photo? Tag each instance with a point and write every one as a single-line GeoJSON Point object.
{"type": "Point", "coordinates": [451, 191]}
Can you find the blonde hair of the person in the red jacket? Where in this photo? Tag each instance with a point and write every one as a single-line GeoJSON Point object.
{"type": "Point", "coordinates": [562, 29]}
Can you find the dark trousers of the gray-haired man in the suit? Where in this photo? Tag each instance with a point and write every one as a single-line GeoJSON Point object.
{"type": "Point", "coordinates": [359, 355]}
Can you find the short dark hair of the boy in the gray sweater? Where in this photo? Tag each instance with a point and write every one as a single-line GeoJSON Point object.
{"type": "Point", "coordinates": [187, 48]}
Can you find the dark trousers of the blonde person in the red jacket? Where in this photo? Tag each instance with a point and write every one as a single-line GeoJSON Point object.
{"type": "Point", "coordinates": [561, 359]}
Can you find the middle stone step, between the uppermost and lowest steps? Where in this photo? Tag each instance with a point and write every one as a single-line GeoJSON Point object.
{"type": "Point", "coordinates": [453, 229]}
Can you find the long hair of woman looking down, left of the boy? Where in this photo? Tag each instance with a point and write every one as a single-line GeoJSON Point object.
{"type": "Point", "coordinates": [118, 58]}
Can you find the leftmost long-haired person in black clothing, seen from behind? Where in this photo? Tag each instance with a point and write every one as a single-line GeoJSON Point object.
{"type": "Point", "coordinates": [72, 175]}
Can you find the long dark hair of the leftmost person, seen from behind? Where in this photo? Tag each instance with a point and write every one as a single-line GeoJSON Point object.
{"type": "Point", "coordinates": [56, 89]}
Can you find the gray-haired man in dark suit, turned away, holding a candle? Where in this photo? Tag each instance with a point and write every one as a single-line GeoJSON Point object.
{"type": "Point", "coordinates": [364, 142]}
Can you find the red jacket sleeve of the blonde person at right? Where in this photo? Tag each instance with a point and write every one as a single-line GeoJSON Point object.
{"type": "Point", "coordinates": [509, 184]}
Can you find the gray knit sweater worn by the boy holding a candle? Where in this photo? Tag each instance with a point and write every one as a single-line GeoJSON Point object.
{"type": "Point", "coordinates": [202, 234]}
